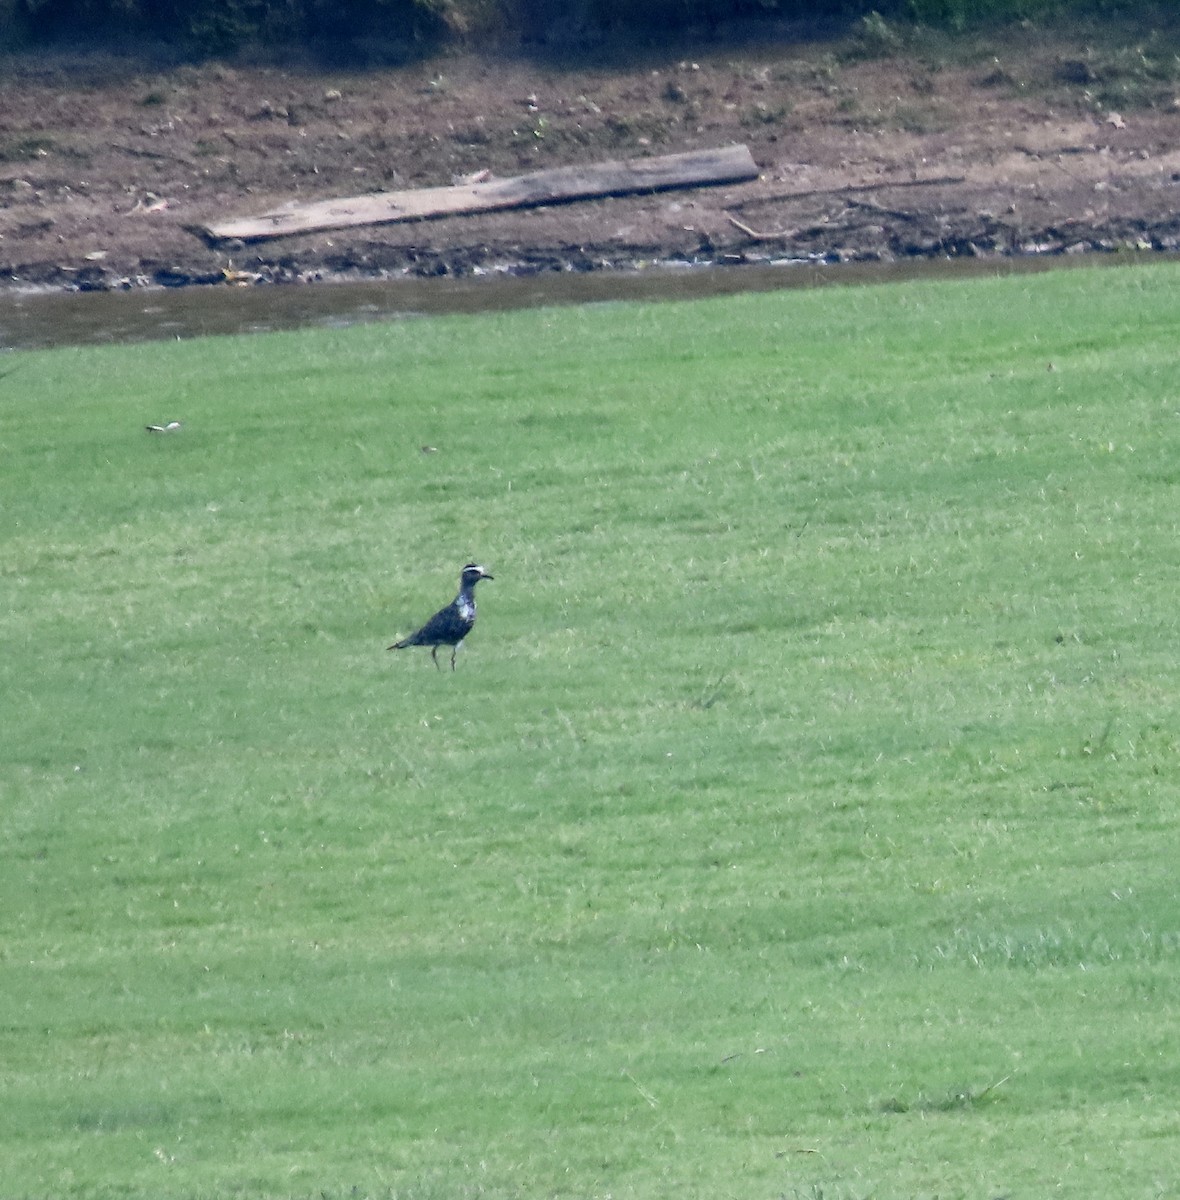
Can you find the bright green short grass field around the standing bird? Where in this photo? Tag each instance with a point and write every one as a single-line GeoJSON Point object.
{"type": "Point", "coordinates": [801, 821]}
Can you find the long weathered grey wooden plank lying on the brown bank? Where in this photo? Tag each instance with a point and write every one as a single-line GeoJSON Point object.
{"type": "Point", "coordinates": [728, 165]}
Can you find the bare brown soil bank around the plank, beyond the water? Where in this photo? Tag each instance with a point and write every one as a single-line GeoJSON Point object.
{"type": "Point", "coordinates": [1005, 145]}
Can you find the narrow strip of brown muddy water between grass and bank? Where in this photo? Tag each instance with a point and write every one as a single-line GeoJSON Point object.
{"type": "Point", "coordinates": [32, 321]}
